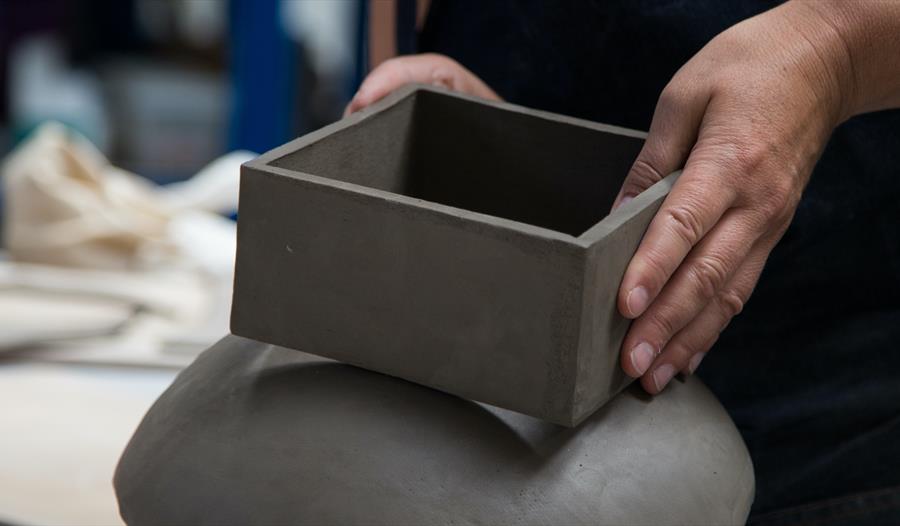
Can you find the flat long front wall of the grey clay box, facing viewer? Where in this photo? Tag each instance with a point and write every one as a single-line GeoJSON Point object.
{"type": "Point", "coordinates": [462, 306]}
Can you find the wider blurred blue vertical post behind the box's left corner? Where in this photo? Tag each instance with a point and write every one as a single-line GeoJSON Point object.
{"type": "Point", "coordinates": [264, 73]}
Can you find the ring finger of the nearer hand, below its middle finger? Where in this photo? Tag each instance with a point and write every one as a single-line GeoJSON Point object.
{"type": "Point", "coordinates": [686, 350]}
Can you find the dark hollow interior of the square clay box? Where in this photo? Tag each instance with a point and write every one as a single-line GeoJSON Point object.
{"type": "Point", "coordinates": [477, 157]}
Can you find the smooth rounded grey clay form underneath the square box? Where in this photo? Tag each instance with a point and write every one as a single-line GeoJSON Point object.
{"type": "Point", "coordinates": [257, 434]}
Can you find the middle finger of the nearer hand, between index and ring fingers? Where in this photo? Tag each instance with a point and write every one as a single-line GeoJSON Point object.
{"type": "Point", "coordinates": [698, 281]}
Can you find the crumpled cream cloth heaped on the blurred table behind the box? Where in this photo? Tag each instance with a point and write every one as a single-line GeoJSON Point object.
{"type": "Point", "coordinates": [66, 205]}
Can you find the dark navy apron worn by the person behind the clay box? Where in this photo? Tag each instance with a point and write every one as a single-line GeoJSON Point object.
{"type": "Point", "coordinates": [810, 371]}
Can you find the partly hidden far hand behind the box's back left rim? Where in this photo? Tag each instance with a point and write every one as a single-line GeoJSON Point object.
{"type": "Point", "coordinates": [427, 68]}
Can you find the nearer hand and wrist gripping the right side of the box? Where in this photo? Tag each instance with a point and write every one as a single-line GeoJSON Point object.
{"type": "Point", "coordinates": [747, 118]}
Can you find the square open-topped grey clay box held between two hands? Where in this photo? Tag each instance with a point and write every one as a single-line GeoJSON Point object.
{"type": "Point", "coordinates": [456, 243]}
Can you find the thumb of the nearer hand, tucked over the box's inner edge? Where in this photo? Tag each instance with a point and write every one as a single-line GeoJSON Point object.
{"type": "Point", "coordinates": [673, 132]}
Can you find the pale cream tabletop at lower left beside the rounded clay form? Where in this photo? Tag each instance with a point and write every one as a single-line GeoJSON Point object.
{"type": "Point", "coordinates": [62, 429]}
